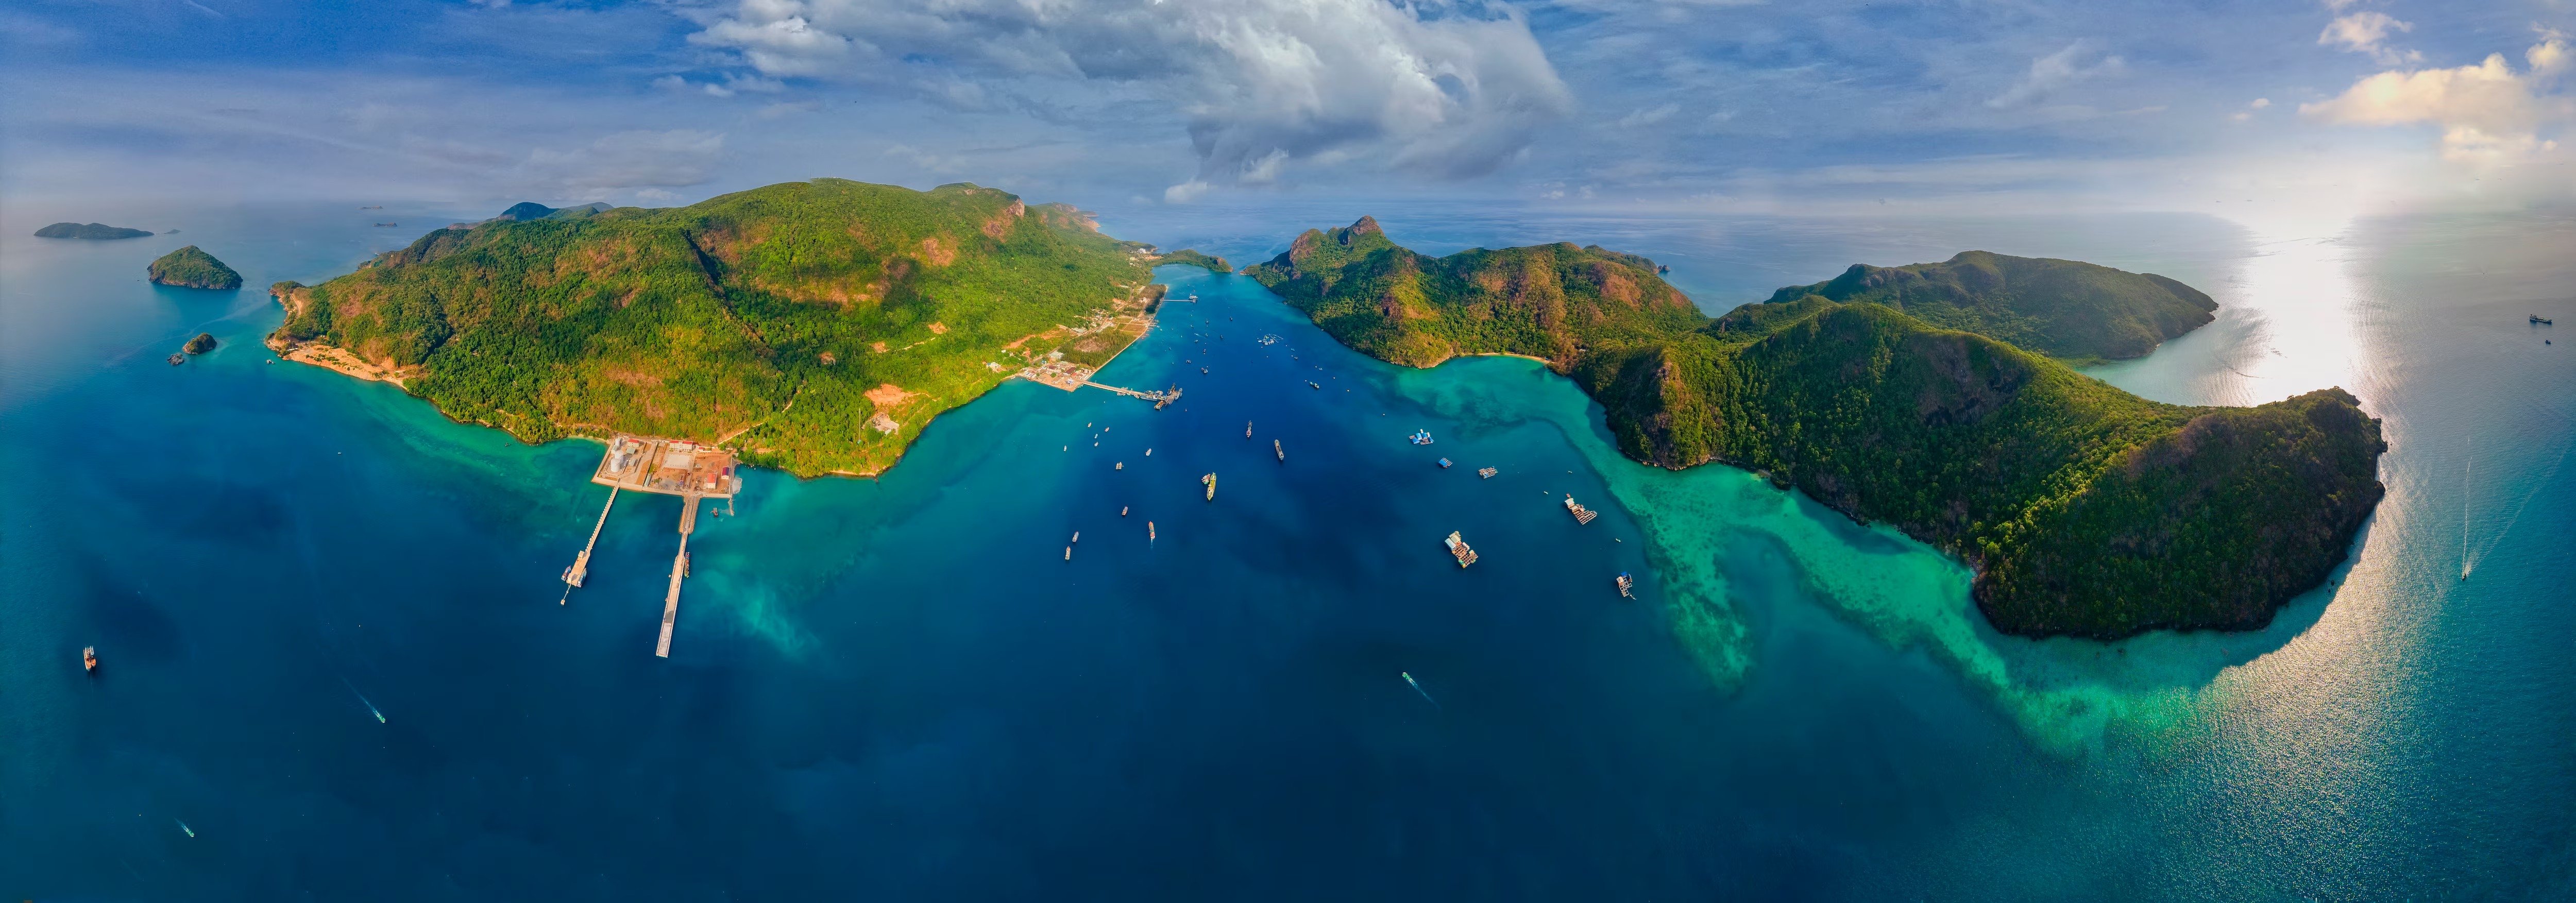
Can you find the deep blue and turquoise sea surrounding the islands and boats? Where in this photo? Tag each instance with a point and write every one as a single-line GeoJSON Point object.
{"type": "Point", "coordinates": [336, 665]}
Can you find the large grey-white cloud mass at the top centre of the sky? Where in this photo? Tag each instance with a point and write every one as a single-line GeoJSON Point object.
{"type": "Point", "coordinates": [1434, 86]}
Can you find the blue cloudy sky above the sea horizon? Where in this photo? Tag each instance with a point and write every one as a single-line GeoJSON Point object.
{"type": "Point", "coordinates": [1153, 104]}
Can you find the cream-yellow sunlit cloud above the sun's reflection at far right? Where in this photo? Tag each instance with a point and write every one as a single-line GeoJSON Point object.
{"type": "Point", "coordinates": [2487, 112]}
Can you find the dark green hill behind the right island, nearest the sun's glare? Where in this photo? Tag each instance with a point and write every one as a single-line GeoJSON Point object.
{"type": "Point", "coordinates": [2054, 307]}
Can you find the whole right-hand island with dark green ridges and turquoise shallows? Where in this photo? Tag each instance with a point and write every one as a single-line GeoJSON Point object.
{"type": "Point", "coordinates": [2083, 508]}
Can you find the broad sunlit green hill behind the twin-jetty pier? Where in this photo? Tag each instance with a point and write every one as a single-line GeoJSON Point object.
{"type": "Point", "coordinates": [795, 320]}
